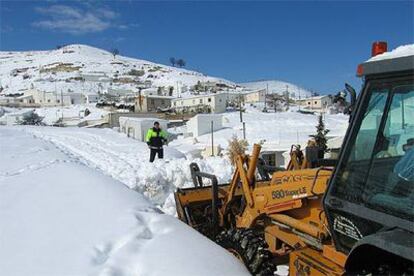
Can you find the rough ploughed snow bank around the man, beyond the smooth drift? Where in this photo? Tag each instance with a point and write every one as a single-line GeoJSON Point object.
{"type": "Point", "coordinates": [126, 160]}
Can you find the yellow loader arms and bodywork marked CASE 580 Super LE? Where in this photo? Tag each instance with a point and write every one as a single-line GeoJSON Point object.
{"type": "Point", "coordinates": [288, 208]}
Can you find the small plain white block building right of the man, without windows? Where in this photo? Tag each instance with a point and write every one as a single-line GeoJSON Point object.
{"type": "Point", "coordinates": [201, 124]}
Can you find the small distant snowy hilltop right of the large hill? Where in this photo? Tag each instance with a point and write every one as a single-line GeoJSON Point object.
{"type": "Point", "coordinates": [279, 87]}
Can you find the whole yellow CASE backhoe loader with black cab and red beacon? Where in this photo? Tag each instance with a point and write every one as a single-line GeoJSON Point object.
{"type": "Point", "coordinates": [354, 216]}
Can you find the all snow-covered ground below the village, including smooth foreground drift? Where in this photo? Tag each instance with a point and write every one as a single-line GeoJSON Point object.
{"type": "Point", "coordinates": [82, 201]}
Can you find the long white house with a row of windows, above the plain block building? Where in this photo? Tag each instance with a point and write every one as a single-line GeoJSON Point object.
{"type": "Point", "coordinates": [216, 103]}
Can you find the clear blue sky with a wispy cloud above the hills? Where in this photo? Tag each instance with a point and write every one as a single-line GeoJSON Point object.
{"type": "Point", "coordinates": [314, 44]}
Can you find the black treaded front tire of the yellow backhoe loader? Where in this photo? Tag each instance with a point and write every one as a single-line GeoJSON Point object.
{"type": "Point", "coordinates": [249, 247]}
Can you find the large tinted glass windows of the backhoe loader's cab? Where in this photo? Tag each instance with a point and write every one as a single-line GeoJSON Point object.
{"type": "Point", "coordinates": [379, 169]}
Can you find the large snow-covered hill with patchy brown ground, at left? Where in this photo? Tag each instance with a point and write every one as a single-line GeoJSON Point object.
{"type": "Point", "coordinates": [84, 68]}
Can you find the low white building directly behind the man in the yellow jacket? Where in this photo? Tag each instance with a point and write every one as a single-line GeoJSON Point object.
{"type": "Point", "coordinates": [138, 127]}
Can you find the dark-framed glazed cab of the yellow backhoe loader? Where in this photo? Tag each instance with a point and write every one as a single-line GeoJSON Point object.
{"type": "Point", "coordinates": [370, 200]}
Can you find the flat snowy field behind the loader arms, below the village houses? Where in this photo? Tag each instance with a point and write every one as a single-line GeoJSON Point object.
{"type": "Point", "coordinates": [277, 131]}
